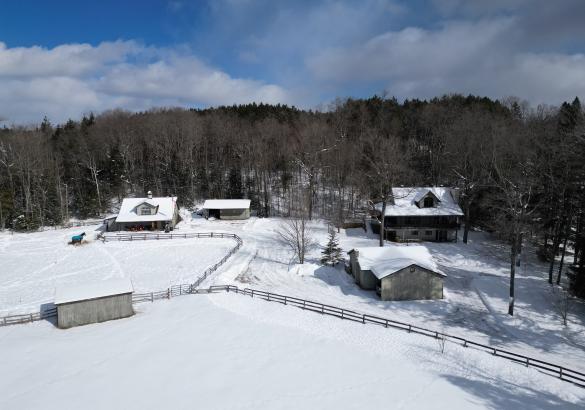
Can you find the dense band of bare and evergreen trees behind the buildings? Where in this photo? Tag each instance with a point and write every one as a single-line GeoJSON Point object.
{"type": "Point", "coordinates": [520, 170]}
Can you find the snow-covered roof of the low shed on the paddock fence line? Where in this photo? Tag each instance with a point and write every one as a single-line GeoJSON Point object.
{"type": "Point", "coordinates": [77, 292]}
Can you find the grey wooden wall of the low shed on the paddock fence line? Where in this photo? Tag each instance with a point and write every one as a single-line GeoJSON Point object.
{"type": "Point", "coordinates": [94, 310]}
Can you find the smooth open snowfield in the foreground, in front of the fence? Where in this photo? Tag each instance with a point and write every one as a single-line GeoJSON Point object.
{"type": "Point", "coordinates": [229, 351]}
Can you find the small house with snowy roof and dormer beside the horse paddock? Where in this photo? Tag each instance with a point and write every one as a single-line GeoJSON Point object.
{"type": "Point", "coordinates": [150, 213]}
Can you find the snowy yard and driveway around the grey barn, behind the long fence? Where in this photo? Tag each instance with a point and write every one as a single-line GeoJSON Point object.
{"type": "Point", "coordinates": [476, 288]}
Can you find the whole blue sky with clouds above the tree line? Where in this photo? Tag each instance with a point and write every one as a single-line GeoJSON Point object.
{"type": "Point", "coordinates": [66, 58]}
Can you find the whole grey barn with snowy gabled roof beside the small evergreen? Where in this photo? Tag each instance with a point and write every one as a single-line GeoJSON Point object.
{"type": "Point", "coordinates": [397, 272]}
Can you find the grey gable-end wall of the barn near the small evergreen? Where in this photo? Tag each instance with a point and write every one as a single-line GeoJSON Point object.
{"type": "Point", "coordinates": [407, 285]}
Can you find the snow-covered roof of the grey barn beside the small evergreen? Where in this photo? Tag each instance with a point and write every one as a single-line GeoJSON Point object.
{"type": "Point", "coordinates": [384, 261]}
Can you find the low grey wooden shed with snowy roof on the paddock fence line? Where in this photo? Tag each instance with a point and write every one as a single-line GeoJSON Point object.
{"type": "Point", "coordinates": [93, 302]}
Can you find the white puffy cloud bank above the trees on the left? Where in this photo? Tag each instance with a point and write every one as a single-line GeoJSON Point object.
{"type": "Point", "coordinates": [72, 79]}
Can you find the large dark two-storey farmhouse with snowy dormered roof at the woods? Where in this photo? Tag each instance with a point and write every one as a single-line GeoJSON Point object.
{"type": "Point", "coordinates": [421, 214]}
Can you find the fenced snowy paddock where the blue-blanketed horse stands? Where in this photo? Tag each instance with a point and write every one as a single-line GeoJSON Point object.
{"type": "Point", "coordinates": [32, 264]}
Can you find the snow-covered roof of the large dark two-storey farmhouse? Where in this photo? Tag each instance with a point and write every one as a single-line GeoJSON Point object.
{"type": "Point", "coordinates": [406, 199]}
